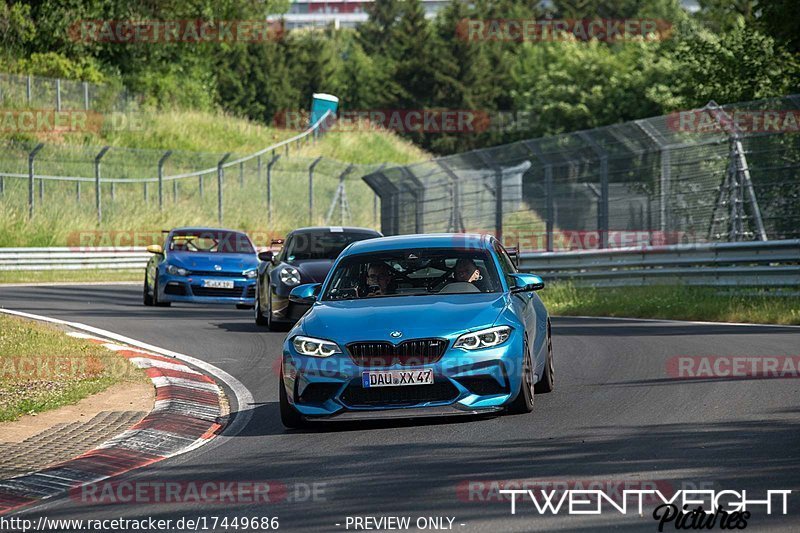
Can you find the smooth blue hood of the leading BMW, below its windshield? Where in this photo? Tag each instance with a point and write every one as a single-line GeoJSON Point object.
{"type": "Point", "coordinates": [414, 316]}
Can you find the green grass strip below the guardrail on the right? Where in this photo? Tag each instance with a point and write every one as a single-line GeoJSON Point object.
{"type": "Point", "coordinates": [671, 302]}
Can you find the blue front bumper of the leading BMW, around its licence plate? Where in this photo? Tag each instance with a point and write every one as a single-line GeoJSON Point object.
{"type": "Point", "coordinates": [465, 382]}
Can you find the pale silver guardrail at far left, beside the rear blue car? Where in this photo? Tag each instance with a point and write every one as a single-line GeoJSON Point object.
{"type": "Point", "coordinates": [66, 258]}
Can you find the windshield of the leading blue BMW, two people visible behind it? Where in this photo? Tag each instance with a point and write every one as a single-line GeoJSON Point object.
{"type": "Point", "coordinates": [413, 273]}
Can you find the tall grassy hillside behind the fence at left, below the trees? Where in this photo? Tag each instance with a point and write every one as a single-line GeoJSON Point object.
{"type": "Point", "coordinates": [60, 219]}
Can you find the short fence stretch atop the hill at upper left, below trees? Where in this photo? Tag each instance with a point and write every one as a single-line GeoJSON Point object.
{"type": "Point", "coordinates": [18, 91]}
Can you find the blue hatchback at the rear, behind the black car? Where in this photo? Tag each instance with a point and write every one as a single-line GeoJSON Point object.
{"type": "Point", "coordinates": [202, 265]}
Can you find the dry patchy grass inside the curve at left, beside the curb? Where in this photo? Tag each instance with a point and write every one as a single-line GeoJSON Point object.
{"type": "Point", "coordinates": [41, 368]}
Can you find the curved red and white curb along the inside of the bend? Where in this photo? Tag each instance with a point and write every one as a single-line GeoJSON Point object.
{"type": "Point", "coordinates": [190, 410]}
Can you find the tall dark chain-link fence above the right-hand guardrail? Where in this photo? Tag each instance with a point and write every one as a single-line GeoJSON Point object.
{"type": "Point", "coordinates": [729, 173]}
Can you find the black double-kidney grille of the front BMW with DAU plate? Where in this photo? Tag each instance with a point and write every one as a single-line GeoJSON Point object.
{"type": "Point", "coordinates": [412, 352]}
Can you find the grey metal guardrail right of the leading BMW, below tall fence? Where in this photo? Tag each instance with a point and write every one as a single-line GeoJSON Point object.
{"type": "Point", "coordinates": [752, 264]}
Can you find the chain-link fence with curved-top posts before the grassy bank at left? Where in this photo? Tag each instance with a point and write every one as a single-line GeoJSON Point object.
{"type": "Point", "coordinates": [102, 189]}
